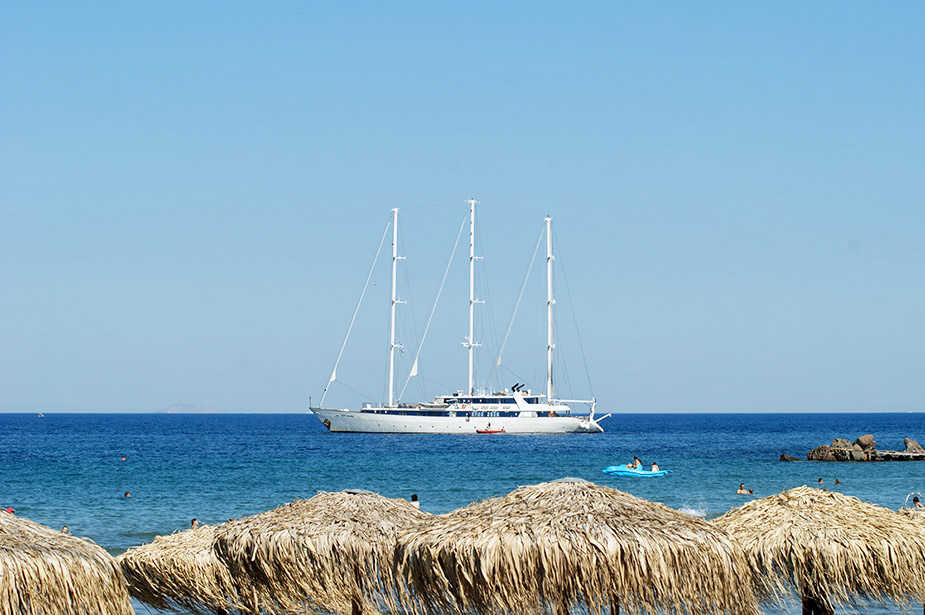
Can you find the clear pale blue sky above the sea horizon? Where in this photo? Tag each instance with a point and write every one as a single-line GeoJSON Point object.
{"type": "Point", "coordinates": [191, 194]}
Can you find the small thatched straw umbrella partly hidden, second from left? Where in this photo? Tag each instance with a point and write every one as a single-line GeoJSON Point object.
{"type": "Point", "coordinates": [180, 571]}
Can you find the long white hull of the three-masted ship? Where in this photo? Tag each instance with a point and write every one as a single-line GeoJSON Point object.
{"type": "Point", "coordinates": [369, 422]}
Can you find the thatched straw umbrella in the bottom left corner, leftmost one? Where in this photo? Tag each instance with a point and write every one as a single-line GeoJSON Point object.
{"type": "Point", "coordinates": [45, 571]}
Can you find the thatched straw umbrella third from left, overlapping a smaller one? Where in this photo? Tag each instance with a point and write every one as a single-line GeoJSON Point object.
{"type": "Point", "coordinates": [331, 553]}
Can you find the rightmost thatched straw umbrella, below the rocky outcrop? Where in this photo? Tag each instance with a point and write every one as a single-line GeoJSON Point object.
{"type": "Point", "coordinates": [828, 547]}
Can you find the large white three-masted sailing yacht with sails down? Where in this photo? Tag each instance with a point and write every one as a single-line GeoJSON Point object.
{"type": "Point", "coordinates": [512, 411]}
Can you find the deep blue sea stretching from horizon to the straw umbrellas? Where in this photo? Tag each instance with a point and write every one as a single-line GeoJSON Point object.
{"type": "Point", "coordinates": [122, 479]}
